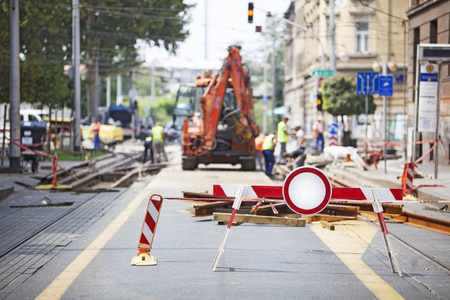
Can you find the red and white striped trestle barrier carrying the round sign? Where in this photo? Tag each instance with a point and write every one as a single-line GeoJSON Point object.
{"type": "Point", "coordinates": [307, 191]}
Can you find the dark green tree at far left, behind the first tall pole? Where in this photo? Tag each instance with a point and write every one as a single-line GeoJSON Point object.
{"type": "Point", "coordinates": [41, 72]}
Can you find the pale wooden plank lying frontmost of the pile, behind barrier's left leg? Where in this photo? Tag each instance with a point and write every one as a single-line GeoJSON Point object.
{"type": "Point", "coordinates": [246, 218]}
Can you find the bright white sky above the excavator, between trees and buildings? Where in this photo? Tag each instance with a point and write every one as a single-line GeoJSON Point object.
{"type": "Point", "coordinates": [226, 24]}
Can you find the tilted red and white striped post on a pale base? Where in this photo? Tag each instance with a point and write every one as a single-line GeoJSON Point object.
{"type": "Point", "coordinates": [152, 213]}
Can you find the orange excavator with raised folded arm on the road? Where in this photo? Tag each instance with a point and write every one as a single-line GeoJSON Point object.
{"type": "Point", "coordinates": [219, 126]}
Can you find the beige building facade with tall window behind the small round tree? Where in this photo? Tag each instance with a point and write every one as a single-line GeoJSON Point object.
{"type": "Point", "coordinates": [368, 35]}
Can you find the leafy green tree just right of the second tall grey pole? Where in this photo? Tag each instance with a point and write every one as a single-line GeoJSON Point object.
{"type": "Point", "coordinates": [115, 26]}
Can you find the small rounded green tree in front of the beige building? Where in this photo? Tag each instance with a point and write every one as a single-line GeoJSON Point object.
{"type": "Point", "coordinates": [340, 98]}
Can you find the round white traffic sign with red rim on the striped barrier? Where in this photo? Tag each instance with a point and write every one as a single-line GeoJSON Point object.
{"type": "Point", "coordinates": [307, 190]}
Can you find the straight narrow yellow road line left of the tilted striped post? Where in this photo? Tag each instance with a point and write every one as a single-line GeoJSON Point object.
{"type": "Point", "coordinates": [60, 285]}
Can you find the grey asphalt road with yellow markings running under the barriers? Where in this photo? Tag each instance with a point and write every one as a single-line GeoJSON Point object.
{"type": "Point", "coordinates": [259, 261]}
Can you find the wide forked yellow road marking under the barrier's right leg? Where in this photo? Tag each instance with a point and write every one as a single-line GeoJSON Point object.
{"type": "Point", "coordinates": [349, 242]}
